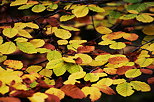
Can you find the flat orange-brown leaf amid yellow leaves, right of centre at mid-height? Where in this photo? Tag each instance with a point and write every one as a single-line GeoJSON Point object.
{"type": "Point", "coordinates": [118, 60]}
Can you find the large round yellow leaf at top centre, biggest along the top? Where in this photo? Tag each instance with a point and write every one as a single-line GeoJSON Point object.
{"type": "Point", "coordinates": [80, 11]}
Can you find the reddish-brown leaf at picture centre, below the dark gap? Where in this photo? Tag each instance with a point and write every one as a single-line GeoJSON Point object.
{"type": "Point", "coordinates": [85, 49]}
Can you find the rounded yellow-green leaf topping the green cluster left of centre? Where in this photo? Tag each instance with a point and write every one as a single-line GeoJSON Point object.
{"type": "Point", "coordinates": [53, 55]}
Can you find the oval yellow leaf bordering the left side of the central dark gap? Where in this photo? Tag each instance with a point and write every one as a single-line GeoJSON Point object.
{"type": "Point", "coordinates": [63, 34]}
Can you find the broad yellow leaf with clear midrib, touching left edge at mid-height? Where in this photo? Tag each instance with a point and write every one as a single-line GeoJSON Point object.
{"type": "Point", "coordinates": [7, 48]}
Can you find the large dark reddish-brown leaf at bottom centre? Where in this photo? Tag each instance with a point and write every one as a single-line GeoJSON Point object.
{"type": "Point", "coordinates": [73, 91]}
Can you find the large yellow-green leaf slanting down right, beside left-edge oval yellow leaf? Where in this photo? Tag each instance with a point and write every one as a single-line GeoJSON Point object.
{"type": "Point", "coordinates": [26, 47]}
